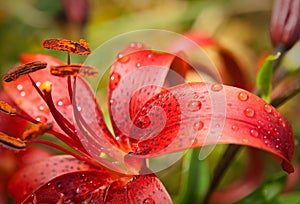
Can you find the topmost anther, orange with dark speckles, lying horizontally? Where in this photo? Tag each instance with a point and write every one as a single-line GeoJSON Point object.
{"type": "Point", "coordinates": [80, 47]}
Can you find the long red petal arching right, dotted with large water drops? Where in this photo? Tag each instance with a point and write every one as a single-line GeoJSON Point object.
{"type": "Point", "coordinates": [202, 114]}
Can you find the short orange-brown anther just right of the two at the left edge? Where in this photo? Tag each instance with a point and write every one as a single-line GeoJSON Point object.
{"type": "Point", "coordinates": [36, 131]}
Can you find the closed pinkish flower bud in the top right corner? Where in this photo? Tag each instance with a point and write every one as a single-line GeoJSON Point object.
{"type": "Point", "coordinates": [285, 23]}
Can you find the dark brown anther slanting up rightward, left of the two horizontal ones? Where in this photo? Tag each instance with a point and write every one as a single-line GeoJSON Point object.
{"type": "Point", "coordinates": [23, 69]}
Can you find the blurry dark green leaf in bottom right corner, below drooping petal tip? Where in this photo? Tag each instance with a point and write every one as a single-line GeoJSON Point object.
{"type": "Point", "coordinates": [267, 192]}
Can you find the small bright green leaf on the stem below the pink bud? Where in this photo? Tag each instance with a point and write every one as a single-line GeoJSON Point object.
{"type": "Point", "coordinates": [265, 76]}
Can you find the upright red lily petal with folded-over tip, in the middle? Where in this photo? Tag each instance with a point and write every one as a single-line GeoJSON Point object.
{"type": "Point", "coordinates": [135, 69]}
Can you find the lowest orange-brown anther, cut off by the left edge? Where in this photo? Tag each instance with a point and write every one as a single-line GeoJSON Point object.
{"type": "Point", "coordinates": [12, 142]}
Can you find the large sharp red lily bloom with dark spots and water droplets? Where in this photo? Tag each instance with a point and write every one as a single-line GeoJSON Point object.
{"type": "Point", "coordinates": [149, 119]}
